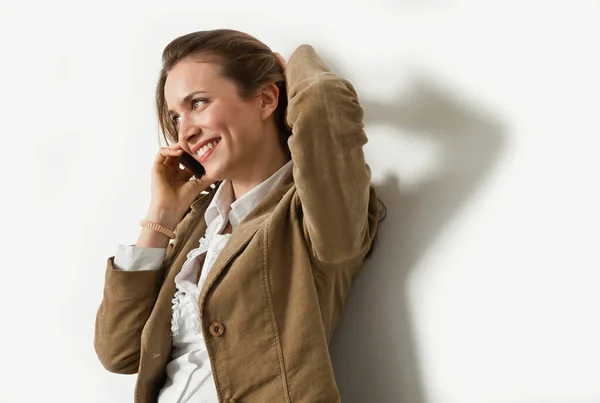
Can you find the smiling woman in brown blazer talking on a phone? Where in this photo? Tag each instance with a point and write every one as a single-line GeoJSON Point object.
{"type": "Point", "coordinates": [241, 306]}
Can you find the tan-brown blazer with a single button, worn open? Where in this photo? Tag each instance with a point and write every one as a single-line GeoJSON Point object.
{"type": "Point", "coordinates": [277, 290]}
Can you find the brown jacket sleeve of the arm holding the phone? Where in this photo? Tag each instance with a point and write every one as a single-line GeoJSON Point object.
{"type": "Point", "coordinates": [127, 302]}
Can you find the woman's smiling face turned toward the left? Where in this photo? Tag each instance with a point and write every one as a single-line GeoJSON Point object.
{"type": "Point", "coordinates": [206, 108]}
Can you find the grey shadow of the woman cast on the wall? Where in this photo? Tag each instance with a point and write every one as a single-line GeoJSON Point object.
{"type": "Point", "coordinates": [374, 349]}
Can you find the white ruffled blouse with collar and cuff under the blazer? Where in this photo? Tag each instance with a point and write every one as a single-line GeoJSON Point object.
{"type": "Point", "coordinates": [189, 374]}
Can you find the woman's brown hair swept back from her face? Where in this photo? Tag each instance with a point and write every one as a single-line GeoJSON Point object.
{"type": "Point", "coordinates": [243, 59]}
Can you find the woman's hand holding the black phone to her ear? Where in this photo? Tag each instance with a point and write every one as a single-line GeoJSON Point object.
{"type": "Point", "coordinates": [172, 191]}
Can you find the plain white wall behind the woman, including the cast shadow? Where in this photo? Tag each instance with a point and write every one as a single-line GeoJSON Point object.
{"type": "Point", "coordinates": [484, 136]}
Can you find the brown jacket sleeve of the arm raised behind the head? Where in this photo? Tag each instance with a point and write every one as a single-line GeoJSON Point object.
{"type": "Point", "coordinates": [331, 176]}
